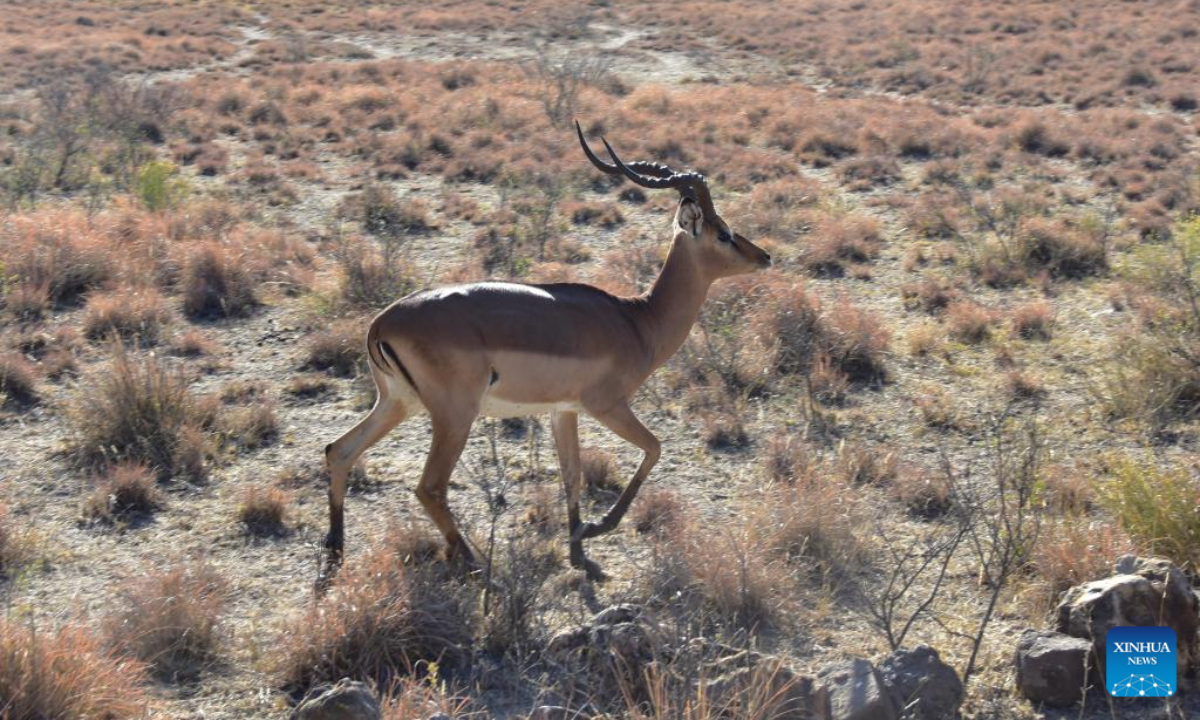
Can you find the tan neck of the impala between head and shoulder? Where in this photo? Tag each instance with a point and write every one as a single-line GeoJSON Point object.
{"type": "Point", "coordinates": [674, 303]}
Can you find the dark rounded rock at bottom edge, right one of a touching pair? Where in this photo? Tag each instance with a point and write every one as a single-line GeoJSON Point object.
{"type": "Point", "coordinates": [921, 686]}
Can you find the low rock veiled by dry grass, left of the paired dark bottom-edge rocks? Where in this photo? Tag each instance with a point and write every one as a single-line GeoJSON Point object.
{"type": "Point", "coordinates": [746, 680]}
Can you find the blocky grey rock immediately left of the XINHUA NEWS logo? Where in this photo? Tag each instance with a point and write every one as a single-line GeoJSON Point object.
{"type": "Point", "coordinates": [1053, 668]}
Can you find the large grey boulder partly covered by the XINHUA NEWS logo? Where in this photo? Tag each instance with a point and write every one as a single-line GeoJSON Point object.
{"type": "Point", "coordinates": [1156, 593]}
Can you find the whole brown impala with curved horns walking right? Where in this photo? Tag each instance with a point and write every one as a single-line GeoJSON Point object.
{"type": "Point", "coordinates": [508, 350]}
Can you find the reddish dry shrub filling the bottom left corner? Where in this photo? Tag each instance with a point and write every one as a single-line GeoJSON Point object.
{"type": "Point", "coordinates": [67, 674]}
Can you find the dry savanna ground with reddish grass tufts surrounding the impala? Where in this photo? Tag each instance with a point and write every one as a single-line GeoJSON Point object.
{"type": "Point", "coordinates": [980, 344]}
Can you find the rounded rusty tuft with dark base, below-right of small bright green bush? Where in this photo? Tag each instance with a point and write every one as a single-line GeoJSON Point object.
{"type": "Point", "coordinates": [217, 284]}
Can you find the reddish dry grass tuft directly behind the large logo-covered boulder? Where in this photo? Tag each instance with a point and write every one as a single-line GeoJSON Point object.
{"type": "Point", "coordinates": [1075, 550]}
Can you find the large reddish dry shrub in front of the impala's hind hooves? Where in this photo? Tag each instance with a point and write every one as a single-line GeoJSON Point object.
{"type": "Point", "coordinates": [377, 622]}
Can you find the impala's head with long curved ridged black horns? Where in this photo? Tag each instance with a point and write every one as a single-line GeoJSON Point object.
{"type": "Point", "coordinates": [717, 249]}
